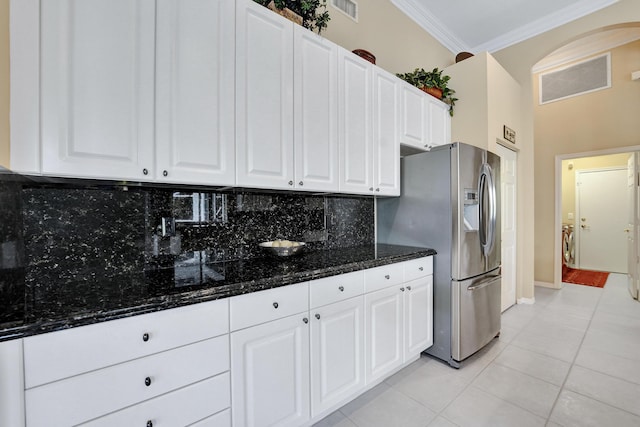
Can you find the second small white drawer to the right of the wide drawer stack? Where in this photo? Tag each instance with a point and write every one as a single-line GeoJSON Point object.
{"type": "Point", "coordinates": [335, 288]}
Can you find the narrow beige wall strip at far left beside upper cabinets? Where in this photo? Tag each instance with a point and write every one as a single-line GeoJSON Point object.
{"type": "Point", "coordinates": [4, 83]}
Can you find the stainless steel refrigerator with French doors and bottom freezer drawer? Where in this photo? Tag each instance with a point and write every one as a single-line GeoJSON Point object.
{"type": "Point", "coordinates": [450, 202]}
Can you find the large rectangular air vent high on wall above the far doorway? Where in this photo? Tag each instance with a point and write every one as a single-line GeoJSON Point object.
{"type": "Point", "coordinates": [576, 79]}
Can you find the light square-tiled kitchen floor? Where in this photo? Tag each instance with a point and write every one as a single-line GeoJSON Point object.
{"type": "Point", "coordinates": [570, 359]}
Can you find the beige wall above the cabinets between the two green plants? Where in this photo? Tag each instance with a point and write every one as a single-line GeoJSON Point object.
{"type": "Point", "coordinates": [397, 42]}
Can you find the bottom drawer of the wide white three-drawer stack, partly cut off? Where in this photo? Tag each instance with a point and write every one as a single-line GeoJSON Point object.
{"type": "Point", "coordinates": [178, 408]}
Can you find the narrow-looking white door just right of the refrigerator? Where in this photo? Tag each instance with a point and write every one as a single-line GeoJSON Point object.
{"type": "Point", "coordinates": [508, 215]}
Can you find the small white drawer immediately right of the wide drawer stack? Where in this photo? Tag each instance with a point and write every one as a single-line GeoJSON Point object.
{"type": "Point", "coordinates": [264, 306]}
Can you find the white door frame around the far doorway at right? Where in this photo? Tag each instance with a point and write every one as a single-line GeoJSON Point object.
{"type": "Point", "coordinates": [557, 238]}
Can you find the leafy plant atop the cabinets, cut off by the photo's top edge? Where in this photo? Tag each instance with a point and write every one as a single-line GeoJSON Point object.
{"type": "Point", "coordinates": [311, 14]}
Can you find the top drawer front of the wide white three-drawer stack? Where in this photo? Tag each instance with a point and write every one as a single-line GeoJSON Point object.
{"type": "Point", "coordinates": [57, 355]}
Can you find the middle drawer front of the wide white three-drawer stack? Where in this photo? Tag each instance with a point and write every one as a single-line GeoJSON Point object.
{"type": "Point", "coordinates": [85, 397]}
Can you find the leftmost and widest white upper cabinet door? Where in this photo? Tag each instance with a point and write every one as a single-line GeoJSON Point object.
{"type": "Point", "coordinates": [97, 88]}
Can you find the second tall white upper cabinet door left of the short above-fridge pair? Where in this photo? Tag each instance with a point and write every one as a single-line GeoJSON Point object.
{"type": "Point", "coordinates": [355, 127]}
